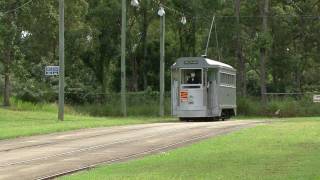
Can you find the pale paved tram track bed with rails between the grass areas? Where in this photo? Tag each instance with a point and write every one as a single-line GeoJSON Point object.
{"type": "Point", "coordinates": [74, 155]}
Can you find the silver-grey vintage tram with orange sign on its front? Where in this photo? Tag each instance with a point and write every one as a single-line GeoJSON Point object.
{"type": "Point", "coordinates": [202, 88]}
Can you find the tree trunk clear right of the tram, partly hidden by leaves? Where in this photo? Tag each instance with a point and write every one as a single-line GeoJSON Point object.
{"type": "Point", "coordinates": [263, 52]}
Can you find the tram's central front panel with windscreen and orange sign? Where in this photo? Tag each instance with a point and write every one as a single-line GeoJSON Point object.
{"type": "Point", "coordinates": [191, 89]}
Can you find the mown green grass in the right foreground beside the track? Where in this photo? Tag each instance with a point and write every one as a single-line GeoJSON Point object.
{"type": "Point", "coordinates": [288, 149]}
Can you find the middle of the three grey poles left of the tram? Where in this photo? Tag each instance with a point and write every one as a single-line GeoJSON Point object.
{"type": "Point", "coordinates": [123, 58]}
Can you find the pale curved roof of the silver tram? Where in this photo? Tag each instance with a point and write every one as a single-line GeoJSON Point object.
{"type": "Point", "coordinates": [199, 62]}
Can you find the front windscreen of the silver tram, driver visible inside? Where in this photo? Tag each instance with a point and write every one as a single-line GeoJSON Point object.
{"type": "Point", "coordinates": [191, 76]}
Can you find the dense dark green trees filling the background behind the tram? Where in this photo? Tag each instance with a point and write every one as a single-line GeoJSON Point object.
{"type": "Point", "coordinates": [286, 33]}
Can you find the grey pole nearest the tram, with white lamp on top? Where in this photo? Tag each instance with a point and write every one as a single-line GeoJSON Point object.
{"type": "Point", "coordinates": [161, 13]}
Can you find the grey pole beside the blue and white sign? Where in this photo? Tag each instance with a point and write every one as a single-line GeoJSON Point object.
{"type": "Point", "coordinates": [61, 60]}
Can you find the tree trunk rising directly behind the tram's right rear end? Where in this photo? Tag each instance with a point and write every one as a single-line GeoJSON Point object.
{"type": "Point", "coordinates": [241, 68]}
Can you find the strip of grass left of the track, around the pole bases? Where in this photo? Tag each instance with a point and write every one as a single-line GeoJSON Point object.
{"type": "Point", "coordinates": [15, 123]}
